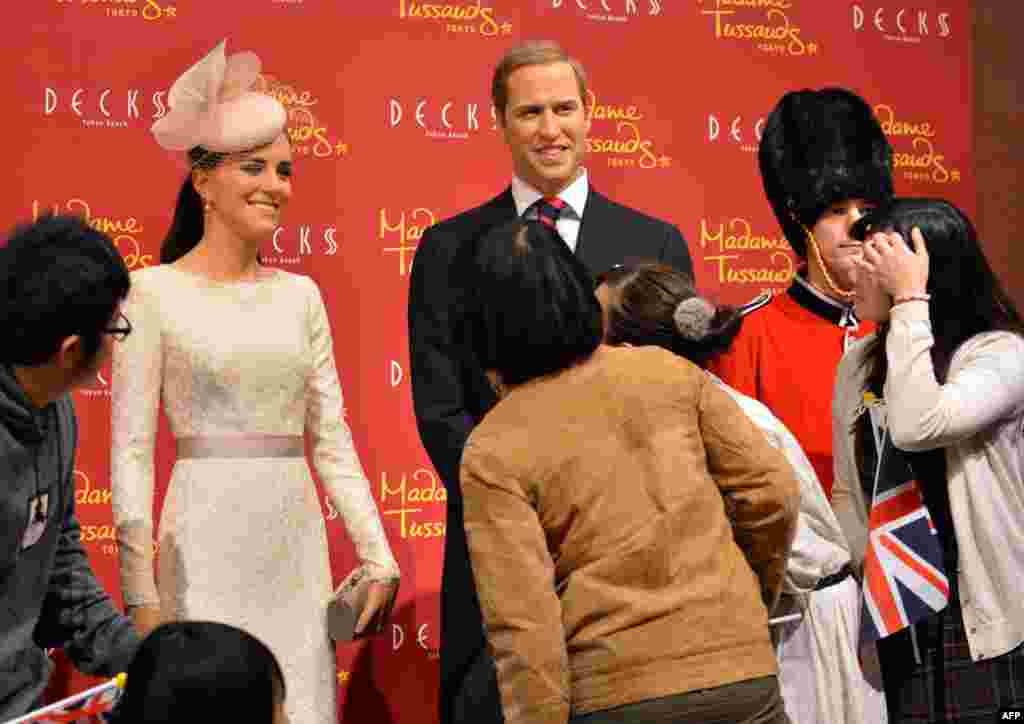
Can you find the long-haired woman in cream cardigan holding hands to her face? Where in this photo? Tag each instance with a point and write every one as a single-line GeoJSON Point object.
{"type": "Point", "coordinates": [948, 368]}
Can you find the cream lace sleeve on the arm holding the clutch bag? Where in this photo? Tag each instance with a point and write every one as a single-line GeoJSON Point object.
{"type": "Point", "coordinates": [334, 453]}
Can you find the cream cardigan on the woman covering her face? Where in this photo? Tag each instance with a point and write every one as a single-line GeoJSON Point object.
{"type": "Point", "coordinates": [978, 417]}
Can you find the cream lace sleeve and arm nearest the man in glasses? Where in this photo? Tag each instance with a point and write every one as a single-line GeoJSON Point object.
{"type": "Point", "coordinates": [137, 381]}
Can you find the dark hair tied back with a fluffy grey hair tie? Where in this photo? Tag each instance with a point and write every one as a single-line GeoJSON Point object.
{"type": "Point", "coordinates": [656, 305]}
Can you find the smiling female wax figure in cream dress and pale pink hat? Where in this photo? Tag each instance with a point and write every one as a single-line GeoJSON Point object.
{"type": "Point", "coordinates": [242, 357]}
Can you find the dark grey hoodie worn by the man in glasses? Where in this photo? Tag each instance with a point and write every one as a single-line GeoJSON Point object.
{"type": "Point", "coordinates": [50, 598]}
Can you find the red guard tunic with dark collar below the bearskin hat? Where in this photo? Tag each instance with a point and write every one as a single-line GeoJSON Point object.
{"type": "Point", "coordinates": [786, 356]}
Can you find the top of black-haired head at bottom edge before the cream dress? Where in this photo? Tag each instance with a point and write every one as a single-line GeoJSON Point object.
{"type": "Point", "coordinates": [199, 671]}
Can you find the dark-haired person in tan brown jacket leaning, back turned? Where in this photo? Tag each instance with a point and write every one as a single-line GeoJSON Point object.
{"type": "Point", "coordinates": [628, 526]}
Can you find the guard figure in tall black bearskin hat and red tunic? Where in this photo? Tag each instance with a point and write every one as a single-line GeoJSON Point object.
{"type": "Point", "coordinates": [824, 162]}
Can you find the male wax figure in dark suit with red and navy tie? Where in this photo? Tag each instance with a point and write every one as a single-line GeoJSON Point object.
{"type": "Point", "coordinates": [539, 95]}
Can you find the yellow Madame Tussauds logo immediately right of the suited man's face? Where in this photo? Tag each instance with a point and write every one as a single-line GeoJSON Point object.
{"type": "Point", "coordinates": [617, 134]}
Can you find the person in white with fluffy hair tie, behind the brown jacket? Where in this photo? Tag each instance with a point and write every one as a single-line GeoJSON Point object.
{"type": "Point", "coordinates": [820, 674]}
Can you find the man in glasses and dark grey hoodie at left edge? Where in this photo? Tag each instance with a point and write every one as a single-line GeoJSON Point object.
{"type": "Point", "coordinates": [62, 285]}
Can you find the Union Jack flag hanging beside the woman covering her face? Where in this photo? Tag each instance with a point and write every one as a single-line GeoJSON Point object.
{"type": "Point", "coordinates": [905, 576]}
